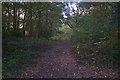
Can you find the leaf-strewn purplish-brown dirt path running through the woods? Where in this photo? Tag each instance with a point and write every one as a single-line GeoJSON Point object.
{"type": "Point", "coordinates": [58, 62]}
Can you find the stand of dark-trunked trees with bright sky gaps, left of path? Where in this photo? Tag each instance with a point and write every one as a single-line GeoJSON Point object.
{"type": "Point", "coordinates": [29, 19]}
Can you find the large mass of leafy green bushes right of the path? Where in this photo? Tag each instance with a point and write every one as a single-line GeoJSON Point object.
{"type": "Point", "coordinates": [95, 35]}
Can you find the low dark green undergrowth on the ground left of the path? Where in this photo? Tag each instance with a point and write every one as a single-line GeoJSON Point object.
{"type": "Point", "coordinates": [19, 53]}
